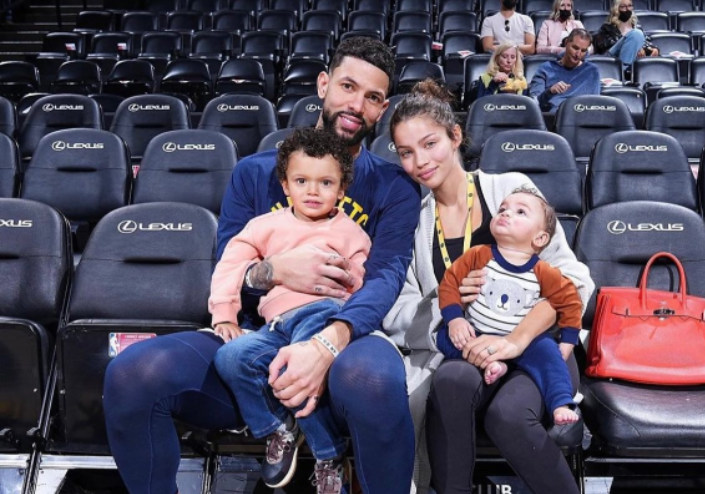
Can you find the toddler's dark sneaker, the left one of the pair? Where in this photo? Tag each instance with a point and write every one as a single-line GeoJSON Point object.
{"type": "Point", "coordinates": [279, 463]}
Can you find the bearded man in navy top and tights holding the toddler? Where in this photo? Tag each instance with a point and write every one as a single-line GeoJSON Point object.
{"type": "Point", "coordinates": [359, 375]}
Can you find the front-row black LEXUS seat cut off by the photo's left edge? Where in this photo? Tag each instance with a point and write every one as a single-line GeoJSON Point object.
{"type": "Point", "coordinates": [35, 271]}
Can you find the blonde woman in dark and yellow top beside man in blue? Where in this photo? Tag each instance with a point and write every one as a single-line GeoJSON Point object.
{"type": "Point", "coordinates": [505, 72]}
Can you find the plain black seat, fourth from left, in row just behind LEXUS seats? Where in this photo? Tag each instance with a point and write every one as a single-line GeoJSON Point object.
{"type": "Point", "coordinates": [189, 77]}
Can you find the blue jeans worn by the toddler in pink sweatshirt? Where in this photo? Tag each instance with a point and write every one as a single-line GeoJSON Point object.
{"type": "Point", "coordinates": [244, 366]}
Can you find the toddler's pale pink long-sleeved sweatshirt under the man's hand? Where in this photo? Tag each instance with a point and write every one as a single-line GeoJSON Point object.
{"type": "Point", "coordinates": [274, 233]}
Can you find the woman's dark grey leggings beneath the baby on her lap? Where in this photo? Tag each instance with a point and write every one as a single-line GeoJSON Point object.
{"type": "Point", "coordinates": [512, 409]}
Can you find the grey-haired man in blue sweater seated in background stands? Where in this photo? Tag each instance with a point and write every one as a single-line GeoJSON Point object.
{"type": "Point", "coordinates": [571, 75]}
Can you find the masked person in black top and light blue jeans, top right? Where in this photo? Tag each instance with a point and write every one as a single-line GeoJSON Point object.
{"type": "Point", "coordinates": [621, 37]}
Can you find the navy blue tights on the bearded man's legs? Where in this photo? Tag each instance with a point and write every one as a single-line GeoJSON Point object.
{"type": "Point", "coordinates": [173, 376]}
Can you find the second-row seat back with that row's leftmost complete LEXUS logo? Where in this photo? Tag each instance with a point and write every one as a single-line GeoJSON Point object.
{"type": "Point", "coordinates": [84, 173]}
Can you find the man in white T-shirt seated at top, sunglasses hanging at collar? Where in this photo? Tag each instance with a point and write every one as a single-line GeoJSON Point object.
{"type": "Point", "coordinates": [510, 26]}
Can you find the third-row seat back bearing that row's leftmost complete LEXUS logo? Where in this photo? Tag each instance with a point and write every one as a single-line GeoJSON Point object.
{"type": "Point", "coordinates": [57, 112]}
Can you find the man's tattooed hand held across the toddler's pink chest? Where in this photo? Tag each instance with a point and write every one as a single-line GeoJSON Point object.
{"type": "Point", "coordinates": [309, 269]}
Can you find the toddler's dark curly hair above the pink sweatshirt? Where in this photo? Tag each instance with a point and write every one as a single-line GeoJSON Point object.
{"type": "Point", "coordinates": [316, 143]}
